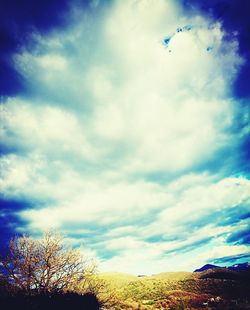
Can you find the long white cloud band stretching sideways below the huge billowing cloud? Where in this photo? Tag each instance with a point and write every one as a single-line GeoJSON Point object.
{"type": "Point", "coordinates": [110, 203]}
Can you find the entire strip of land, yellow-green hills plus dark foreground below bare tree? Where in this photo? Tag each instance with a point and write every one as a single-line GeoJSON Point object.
{"type": "Point", "coordinates": [213, 288]}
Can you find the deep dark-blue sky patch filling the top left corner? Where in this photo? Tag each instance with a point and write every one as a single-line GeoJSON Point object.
{"type": "Point", "coordinates": [17, 20]}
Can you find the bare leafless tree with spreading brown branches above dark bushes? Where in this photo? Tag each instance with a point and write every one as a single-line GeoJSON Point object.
{"type": "Point", "coordinates": [43, 265]}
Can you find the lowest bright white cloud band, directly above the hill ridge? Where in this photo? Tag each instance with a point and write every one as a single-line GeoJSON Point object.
{"type": "Point", "coordinates": [144, 258]}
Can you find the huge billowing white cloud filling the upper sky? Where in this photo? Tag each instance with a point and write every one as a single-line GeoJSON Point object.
{"type": "Point", "coordinates": [139, 94]}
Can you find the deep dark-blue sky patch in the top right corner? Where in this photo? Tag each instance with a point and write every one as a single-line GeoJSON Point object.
{"type": "Point", "coordinates": [234, 16]}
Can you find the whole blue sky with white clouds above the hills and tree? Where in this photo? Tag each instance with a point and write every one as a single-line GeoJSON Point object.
{"type": "Point", "coordinates": [125, 126]}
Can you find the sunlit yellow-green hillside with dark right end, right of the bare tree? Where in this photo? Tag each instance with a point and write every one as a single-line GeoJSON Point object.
{"type": "Point", "coordinates": [214, 288]}
